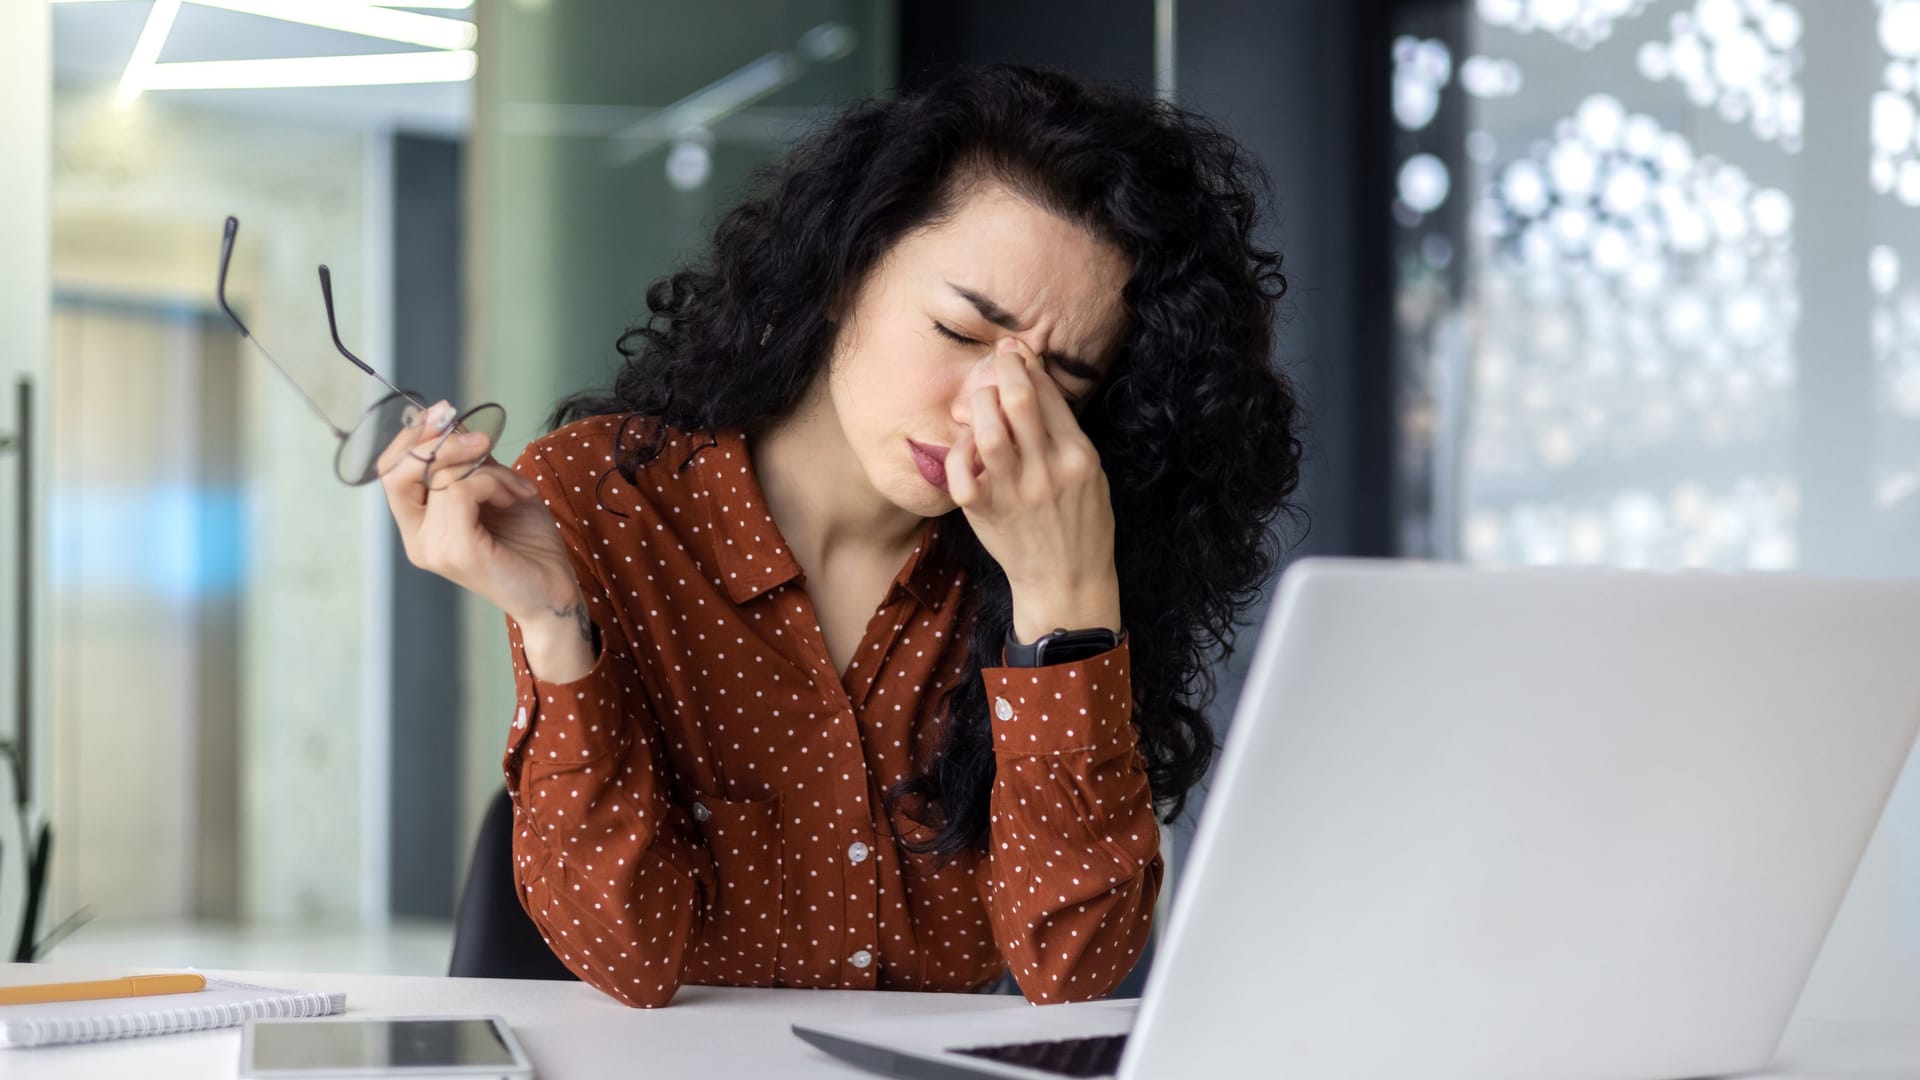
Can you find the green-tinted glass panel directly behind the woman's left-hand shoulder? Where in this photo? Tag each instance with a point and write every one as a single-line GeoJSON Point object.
{"type": "Point", "coordinates": [608, 137]}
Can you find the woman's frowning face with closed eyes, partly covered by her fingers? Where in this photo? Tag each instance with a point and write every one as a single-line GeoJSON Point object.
{"type": "Point", "coordinates": [923, 331]}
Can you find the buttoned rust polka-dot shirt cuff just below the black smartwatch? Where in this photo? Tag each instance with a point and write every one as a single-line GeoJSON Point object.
{"type": "Point", "coordinates": [1065, 706]}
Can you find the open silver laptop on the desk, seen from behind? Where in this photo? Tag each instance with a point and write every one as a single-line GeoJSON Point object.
{"type": "Point", "coordinates": [1500, 823]}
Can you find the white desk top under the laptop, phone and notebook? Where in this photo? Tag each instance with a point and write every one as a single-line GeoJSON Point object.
{"type": "Point", "coordinates": [571, 1031]}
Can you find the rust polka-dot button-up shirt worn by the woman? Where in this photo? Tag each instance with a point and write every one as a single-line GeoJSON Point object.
{"type": "Point", "coordinates": [708, 802]}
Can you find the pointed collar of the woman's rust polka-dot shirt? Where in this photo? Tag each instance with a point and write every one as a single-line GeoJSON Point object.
{"type": "Point", "coordinates": [752, 554]}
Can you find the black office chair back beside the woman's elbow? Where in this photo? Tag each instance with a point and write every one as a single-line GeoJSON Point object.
{"type": "Point", "coordinates": [492, 933]}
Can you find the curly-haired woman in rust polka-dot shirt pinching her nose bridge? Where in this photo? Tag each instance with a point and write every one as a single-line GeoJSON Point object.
{"type": "Point", "coordinates": [861, 629]}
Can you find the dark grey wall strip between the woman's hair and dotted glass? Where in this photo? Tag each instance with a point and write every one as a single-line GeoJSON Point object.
{"type": "Point", "coordinates": [1305, 87]}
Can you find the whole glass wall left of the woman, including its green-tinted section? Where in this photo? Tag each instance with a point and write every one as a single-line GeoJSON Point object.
{"type": "Point", "coordinates": [249, 756]}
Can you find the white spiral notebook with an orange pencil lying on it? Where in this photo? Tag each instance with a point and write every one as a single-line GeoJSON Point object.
{"type": "Point", "coordinates": [220, 1006]}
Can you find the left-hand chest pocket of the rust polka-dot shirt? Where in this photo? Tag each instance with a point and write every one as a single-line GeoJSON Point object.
{"type": "Point", "coordinates": [738, 941]}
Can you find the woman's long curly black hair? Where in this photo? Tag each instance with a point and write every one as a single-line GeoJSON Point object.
{"type": "Point", "coordinates": [1195, 426]}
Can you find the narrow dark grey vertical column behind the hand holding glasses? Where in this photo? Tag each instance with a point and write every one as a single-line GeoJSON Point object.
{"type": "Point", "coordinates": [427, 660]}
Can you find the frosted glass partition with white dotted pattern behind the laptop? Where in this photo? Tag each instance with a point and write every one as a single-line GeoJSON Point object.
{"type": "Point", "coordinates": [1654, 305]}
